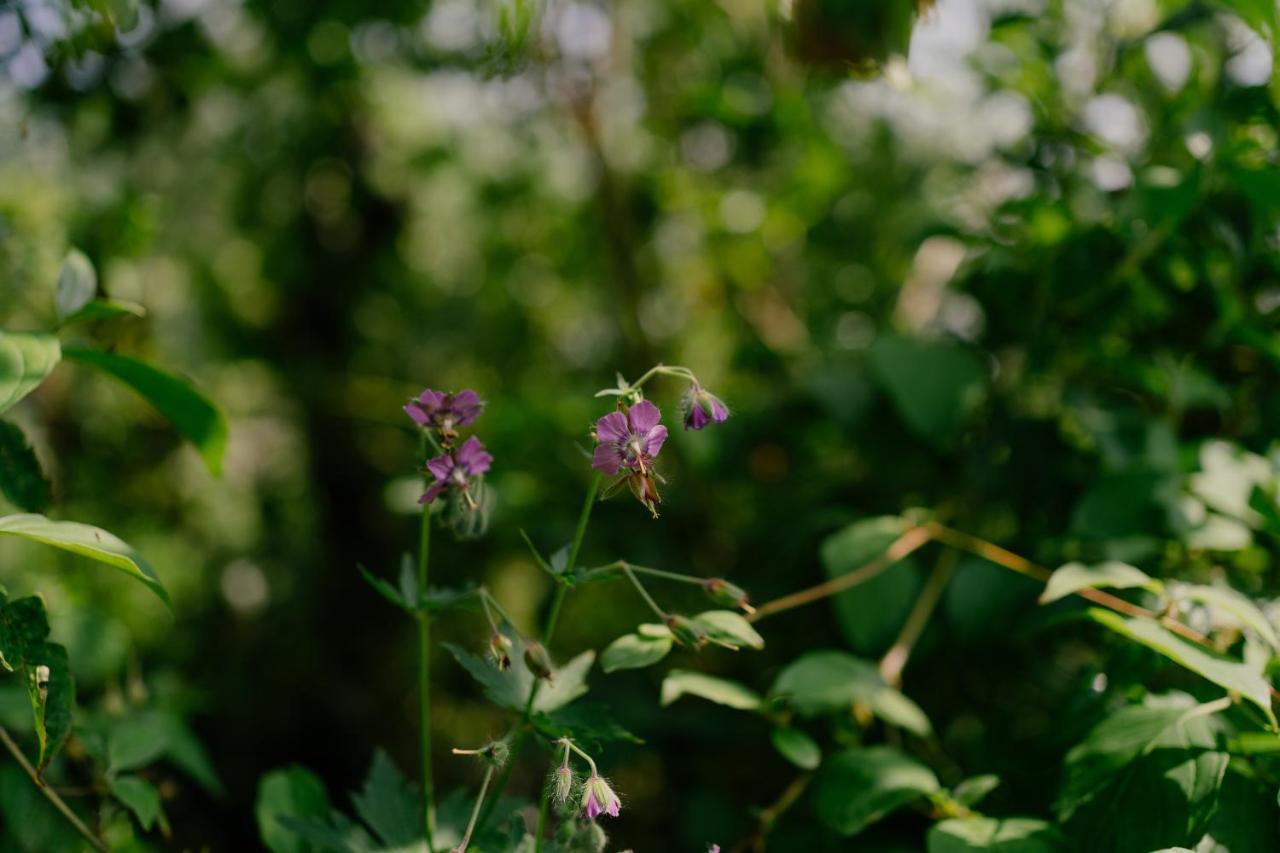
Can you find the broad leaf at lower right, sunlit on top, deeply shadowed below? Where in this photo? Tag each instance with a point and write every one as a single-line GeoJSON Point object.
{"type": "Point", "coordinates": [1156, 761]}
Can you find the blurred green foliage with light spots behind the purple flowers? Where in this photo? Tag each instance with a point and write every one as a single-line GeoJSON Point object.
{"type": "Point", "coordinates": [1020, 277]}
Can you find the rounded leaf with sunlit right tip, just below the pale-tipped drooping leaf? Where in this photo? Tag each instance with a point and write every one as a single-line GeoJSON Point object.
{"type": "Point", "coordinates": [858, 787]}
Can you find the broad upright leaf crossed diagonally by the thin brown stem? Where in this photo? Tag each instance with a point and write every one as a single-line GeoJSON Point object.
{"type": "Point", "coordinates": [874, 613]}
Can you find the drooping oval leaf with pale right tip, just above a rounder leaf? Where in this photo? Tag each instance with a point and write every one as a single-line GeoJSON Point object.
{"type": "Point", "coordinates": [829, 681]}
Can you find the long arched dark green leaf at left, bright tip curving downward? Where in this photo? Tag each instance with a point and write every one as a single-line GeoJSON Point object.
{"type": "Point", "coordinates": [189, 410]}
